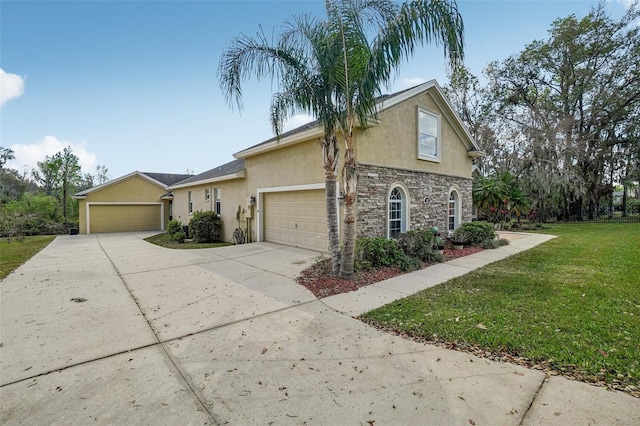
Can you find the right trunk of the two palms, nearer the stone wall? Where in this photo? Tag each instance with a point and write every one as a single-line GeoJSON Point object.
{"type": "Point", "coordinates": [350, 183]}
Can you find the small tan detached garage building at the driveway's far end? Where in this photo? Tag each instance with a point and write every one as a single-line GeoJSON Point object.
{"type": "Point", "coordinates": [134, 202]}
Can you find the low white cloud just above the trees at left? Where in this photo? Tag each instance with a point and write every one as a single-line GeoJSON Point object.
{"type": "Point", "coordinates": [28, 155]}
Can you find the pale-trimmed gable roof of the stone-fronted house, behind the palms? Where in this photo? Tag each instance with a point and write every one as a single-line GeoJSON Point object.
{"type": "Point", "coordinates": [384, 102]}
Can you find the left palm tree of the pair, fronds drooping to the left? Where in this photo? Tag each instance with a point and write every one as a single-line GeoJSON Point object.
{"type": "Point", "coordinates": [303, 63]}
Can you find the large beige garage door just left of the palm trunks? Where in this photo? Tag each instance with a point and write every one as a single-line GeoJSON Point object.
{"type": "Point", "coordinates": [296, 218]}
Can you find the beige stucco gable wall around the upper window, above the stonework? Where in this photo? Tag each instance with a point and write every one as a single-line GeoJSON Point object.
{"type": "Point", "coordinates": [393, 142]}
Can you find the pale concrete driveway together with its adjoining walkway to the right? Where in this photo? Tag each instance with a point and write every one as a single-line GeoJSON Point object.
{"type": "Point", "coordinates": [109, 329]}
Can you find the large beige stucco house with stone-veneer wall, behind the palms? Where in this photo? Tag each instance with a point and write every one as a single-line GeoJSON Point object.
{"type": "Point", "coordinates": [415, 171]}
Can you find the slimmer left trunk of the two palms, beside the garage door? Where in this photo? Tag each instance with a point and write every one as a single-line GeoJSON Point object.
{"type": "Point", "coordinates": [330, 155]}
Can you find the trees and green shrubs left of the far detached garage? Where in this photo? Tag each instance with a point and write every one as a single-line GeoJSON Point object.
{"type": "Point", "coordinates": [40, 202]}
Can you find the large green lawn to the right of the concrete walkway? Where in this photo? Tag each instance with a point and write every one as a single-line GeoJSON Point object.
{"type": "Point", "coordinates": [571, 305]}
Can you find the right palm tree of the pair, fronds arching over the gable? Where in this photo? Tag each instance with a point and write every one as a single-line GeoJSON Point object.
{"type": "Point", "coordinates": [375, 36]}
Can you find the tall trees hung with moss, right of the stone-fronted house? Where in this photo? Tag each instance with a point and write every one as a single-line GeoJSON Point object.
{"type": "Point", "coordinates": [560, 121]}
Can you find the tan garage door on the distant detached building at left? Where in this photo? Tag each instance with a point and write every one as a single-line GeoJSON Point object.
{"type": "Point", "coordinates": [124, 218]}
